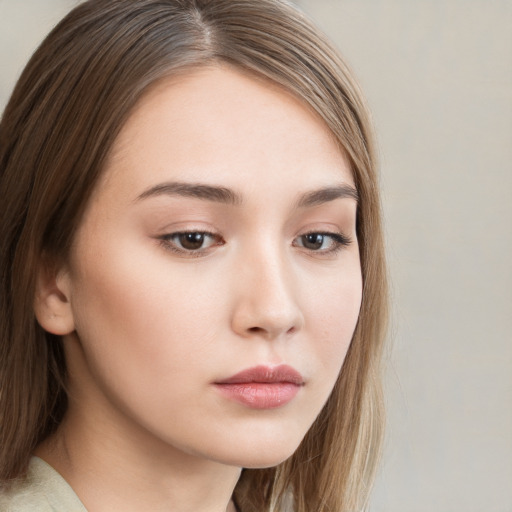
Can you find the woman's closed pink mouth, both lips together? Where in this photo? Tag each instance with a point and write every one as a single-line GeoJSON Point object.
{"type": "Point", "coordinates": [262, 387]}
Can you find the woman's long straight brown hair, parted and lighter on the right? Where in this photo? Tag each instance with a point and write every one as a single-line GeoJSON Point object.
{"type": "Point", "coordinates": [55, 135]}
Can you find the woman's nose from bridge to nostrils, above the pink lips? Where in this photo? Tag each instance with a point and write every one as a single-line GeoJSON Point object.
{"type": "Point", "coordinates": [266, 303]}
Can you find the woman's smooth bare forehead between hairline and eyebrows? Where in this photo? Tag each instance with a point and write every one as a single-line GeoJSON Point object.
{"type": "Point", "coordinates": [217, 124]}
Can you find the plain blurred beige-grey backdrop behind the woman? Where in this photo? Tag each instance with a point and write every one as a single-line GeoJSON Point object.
{"type": "Point", "coordinates": [438, 77]}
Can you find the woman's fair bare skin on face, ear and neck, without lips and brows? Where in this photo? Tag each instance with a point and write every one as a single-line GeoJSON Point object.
{"type": "Point", "coordinates": [150, 327]}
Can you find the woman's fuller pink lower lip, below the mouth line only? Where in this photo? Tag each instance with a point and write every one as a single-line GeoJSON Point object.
{"type": "Point", "coordinates": [260, 395]}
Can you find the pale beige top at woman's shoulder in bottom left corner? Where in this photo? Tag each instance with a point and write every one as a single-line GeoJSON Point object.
{"type": "Point", "coordinates": [44, 490]}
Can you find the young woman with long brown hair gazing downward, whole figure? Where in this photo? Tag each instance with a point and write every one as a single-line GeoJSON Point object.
{"type": "Point", "coordinates": [192, 269]}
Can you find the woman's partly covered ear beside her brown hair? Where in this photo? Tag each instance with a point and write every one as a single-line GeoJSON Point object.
{"type": "Point", "coordinates": [52, 304]}
